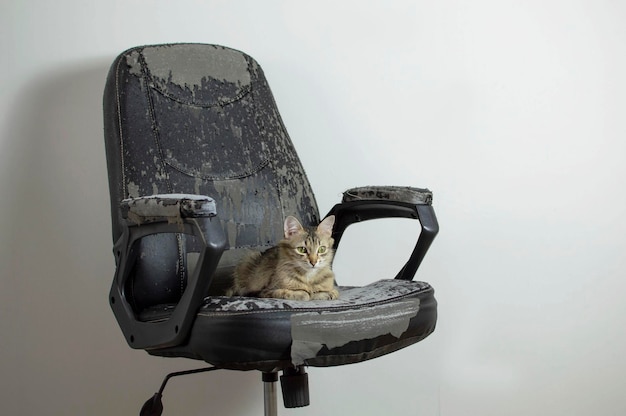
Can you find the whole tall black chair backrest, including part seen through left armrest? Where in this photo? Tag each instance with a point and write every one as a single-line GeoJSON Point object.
{"type": "Point", "coordinates": [199, 119]}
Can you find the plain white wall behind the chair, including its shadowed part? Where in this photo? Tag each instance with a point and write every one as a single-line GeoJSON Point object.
{"type": "Point", "coordinates": [512, 112]}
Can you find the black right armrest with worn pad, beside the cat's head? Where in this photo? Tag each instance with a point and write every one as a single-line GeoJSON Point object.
{"type": "Point", "coordinates": [373, 202]}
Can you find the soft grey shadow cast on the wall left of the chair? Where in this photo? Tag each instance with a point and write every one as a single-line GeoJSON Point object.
{"type": "Point", "coordinates": [66, 348]}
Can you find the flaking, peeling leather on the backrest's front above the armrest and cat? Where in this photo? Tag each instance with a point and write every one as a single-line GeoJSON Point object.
{"type": "Point", "coordinates": [215, 133]}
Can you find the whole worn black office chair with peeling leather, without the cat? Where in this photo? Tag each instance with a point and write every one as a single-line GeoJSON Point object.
{"type": "Point", "coordinates": [201, 170]}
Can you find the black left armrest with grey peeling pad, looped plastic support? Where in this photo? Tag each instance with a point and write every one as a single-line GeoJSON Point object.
{"type": "Point", "coordinates": [169, 213]}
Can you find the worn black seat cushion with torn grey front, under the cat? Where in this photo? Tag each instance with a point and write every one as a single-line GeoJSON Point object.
{"type": "Point", "coordinates": [271, 334]}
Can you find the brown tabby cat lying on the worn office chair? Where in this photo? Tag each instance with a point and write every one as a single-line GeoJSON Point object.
{"type": "Point", "coordinates": [298, 268]}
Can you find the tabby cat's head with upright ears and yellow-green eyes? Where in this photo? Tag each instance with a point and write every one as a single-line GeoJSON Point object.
{"type": "Point", "coordinates": [311, 248]}
